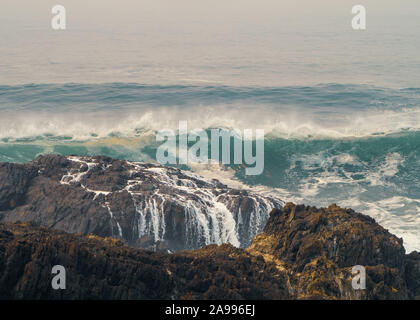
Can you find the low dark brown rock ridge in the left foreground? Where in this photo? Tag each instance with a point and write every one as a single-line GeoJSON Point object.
{"type": "Point", "coordinates": [98, 268]}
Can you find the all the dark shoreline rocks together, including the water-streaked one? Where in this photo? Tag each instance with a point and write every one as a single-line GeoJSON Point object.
{"type": "Point", "coordinates": [127, 230]}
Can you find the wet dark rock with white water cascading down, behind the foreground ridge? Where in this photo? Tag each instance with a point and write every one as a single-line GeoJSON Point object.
{"type": "Point", "coordinates": [145, 205]}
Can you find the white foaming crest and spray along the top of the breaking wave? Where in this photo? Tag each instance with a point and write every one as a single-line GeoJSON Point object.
{"type": "Point", "coordinates": [276, 123]}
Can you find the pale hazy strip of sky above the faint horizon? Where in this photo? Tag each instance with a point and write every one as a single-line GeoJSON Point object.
{"type": "Point", "coordinates": [125, 13]}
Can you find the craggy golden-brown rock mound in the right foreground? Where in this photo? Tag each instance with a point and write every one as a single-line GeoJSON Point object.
{"type": "Point", "coordinates": [318, 248]}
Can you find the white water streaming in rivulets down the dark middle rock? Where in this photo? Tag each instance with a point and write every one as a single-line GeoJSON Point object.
{"type": "Point", "coordinates": [210, 214]}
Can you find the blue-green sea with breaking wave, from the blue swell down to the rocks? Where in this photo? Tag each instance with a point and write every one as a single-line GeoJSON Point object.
{"type": "Point", "coordinates": [354, 145]}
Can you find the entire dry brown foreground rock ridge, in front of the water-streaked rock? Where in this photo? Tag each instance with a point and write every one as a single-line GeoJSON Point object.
{"type": "Point", "coordinates": [303, 253]}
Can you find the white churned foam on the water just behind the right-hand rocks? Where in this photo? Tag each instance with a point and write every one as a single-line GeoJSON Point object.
{"type": "Point", "coordinates": [329, 183]}
